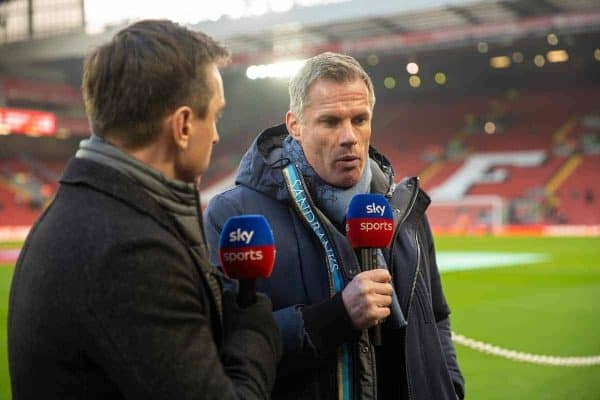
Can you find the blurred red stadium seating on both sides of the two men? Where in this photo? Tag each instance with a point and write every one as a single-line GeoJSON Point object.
{"type": "Point", "coordinates": [422, 139]}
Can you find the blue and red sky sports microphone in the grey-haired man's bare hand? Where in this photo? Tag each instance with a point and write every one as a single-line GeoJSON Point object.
{"type": "Point", "coordinates": [369, 226]}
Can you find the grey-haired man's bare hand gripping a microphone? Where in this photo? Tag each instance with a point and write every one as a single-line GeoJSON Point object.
{"type": "Point", "coordinates": [367, 297]}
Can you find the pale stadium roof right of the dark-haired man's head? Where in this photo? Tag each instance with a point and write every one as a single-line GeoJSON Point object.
{"type": "Point", "coordinates": [360, 19]}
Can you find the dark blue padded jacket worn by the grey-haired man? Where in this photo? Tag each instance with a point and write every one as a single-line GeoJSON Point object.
{"type": "Point", "coordinates": [313, 323]}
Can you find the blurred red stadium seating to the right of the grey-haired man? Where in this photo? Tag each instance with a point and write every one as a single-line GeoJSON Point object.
{"type": "Point", "coordinates": [561, 189]}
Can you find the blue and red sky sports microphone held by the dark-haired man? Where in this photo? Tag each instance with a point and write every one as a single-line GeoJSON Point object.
{"type": "Point", "coordinates": [247, 252]}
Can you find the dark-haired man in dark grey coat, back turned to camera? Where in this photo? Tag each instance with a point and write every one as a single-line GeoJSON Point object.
{"type": "Point", "coordinates": [113, 296]}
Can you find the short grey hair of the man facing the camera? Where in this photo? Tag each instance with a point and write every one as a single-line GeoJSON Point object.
{"type": "Point", "coordinates": [330, 66]}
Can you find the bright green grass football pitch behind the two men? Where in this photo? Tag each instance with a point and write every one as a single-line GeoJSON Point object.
{"type": "Point", "coordinates": [532, 295]}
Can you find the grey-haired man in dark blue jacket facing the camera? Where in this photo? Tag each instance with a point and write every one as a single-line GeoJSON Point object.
{"type": "Point", "coordinates": [302, 176]}
